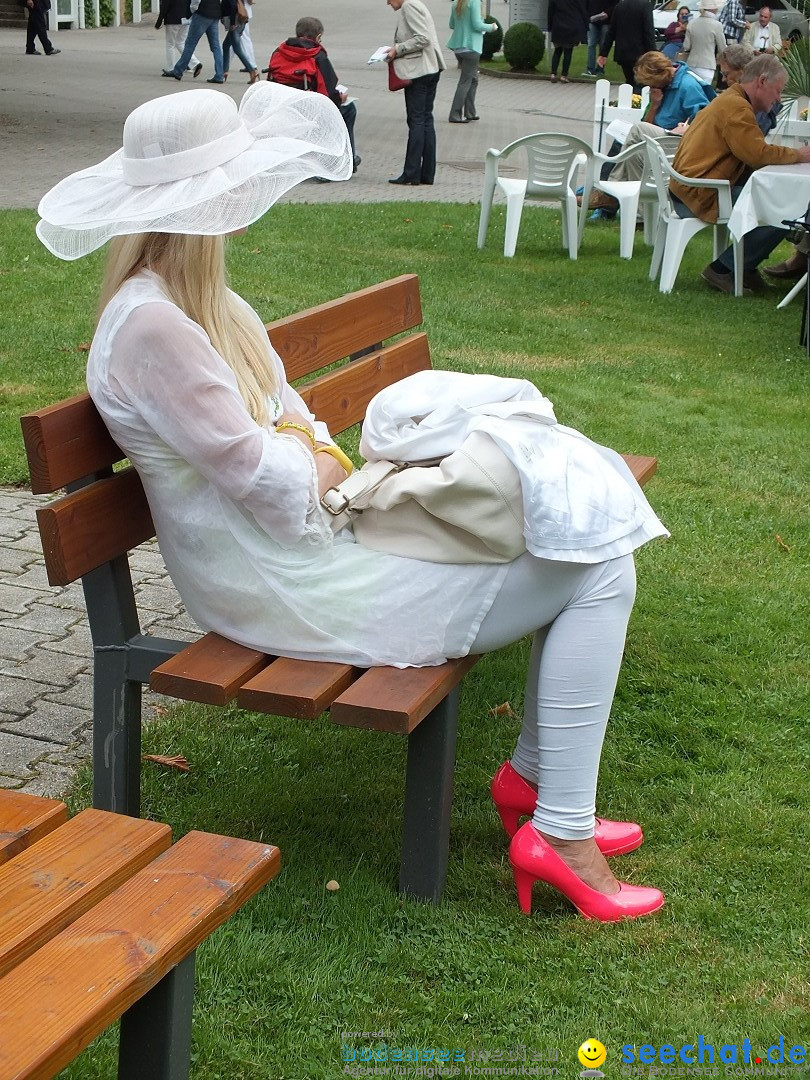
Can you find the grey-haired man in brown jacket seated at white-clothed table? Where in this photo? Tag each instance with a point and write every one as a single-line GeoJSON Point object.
{"type": "Point", "coordinates": [725, 143]}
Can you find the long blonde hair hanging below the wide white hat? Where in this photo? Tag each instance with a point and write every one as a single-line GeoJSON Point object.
{"type": "Point", "coordinates": [193, 269]}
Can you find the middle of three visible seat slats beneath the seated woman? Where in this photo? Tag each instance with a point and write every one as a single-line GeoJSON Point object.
{"type": "Point", "coordinates": [302, 688]}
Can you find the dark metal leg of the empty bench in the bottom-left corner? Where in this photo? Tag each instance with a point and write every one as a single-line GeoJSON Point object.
{"type": "Point", "coordinates": [156, 1032]}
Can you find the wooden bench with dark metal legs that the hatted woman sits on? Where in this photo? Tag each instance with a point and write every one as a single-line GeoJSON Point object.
{"type": "Point", "coordinates": [88, 534]}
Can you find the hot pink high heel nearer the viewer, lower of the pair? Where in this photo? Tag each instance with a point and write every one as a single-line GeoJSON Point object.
{"type": "Point", "coordinates": [534, 860]}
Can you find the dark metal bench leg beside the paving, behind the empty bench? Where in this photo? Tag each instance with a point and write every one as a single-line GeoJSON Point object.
{"type": "Point", "coordinates": [116, 735]}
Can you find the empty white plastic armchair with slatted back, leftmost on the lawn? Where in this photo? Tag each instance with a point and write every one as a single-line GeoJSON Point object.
{"type": "Point", "coordinates": [553, 164]}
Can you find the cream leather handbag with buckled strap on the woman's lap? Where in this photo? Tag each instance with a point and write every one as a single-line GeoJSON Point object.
{"type": "Point", "coordinates": [467, 508]}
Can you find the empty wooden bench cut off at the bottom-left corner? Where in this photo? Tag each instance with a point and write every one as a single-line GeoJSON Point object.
{"type": "Point", "coordinates": [100, 920]}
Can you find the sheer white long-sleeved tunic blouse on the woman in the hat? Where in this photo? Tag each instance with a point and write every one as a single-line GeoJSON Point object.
{"type": "Point", "coordinates": [237, 515]}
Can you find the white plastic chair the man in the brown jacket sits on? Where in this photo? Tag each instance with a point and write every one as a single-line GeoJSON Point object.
{"type": "Point", "coordinates": [673, 233]}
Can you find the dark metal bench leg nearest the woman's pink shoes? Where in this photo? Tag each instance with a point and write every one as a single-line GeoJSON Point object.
{"type": "Point", "coordinates": [428, 801]}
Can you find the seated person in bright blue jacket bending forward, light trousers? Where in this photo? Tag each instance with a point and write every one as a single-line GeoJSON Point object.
{"type": "Point", "coordinates": [677, 97]}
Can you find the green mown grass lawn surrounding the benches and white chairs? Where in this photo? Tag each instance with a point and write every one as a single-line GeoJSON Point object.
{"type": "Point", "coordinates": [708, 746]}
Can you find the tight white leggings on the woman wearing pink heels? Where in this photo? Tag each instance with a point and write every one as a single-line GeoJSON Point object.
{"type": "Point", "coordinates": [579, 617]}
